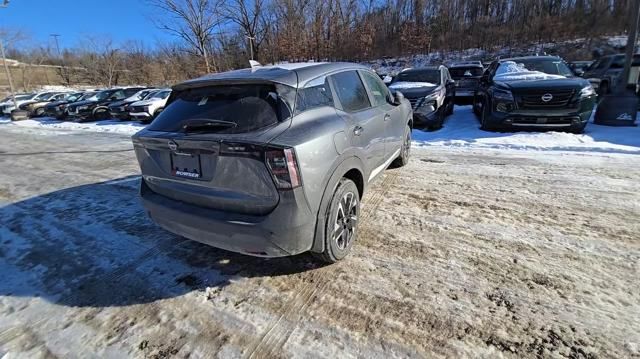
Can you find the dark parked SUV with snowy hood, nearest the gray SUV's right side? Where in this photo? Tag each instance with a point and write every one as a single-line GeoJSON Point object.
{"type": "Point", "coordinates": [431, 92]}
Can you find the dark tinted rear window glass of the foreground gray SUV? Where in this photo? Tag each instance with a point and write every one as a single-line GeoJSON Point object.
{"type": "Point", "coordinates": [250, 107]}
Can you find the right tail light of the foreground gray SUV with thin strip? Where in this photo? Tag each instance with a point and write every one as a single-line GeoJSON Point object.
{"type": "Point", "coordinates": [281, 162]}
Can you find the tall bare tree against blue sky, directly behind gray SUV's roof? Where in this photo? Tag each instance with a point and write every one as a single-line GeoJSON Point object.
{"type": "Point", "coordinates": [193, 21]}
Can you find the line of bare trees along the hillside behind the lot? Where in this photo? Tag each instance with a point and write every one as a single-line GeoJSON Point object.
{"type": "Point", "coordinates": [218, 35]}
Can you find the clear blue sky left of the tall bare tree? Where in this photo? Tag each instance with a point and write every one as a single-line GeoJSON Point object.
{"type": "Point", "coordinates": [73, 19]}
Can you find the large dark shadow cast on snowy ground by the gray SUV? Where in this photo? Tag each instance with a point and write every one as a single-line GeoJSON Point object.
{"type": "Point", "coordinates": [94, 246]}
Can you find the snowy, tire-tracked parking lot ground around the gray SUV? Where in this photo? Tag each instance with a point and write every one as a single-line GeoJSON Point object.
{"type": "Point", "coordinates": [485, 245]}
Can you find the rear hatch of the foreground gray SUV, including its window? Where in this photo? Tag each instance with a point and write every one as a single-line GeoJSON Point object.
{"type": "Point", "coordinates": [209, 147]}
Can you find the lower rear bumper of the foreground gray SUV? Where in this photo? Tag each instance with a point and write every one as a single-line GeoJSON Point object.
{"type": "Point", "coordinates": [287, 230]}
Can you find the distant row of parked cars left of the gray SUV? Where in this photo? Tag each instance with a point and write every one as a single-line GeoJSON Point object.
{"type": "Point", "coordinates": [127, 103]}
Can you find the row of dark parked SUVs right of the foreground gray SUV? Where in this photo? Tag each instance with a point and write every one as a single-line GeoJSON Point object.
{"type": "Point", "coordinates": [530, 92]}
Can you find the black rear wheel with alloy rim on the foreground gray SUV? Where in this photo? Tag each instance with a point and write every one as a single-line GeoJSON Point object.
{"type": "Point", "coordinates": [341, 225]}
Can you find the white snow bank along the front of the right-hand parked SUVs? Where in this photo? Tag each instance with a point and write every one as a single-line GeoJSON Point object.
{"type": "Point", "coordinates": [462, 129]}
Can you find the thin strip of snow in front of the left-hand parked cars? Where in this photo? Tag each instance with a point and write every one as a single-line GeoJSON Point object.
{"type": "Point", "coordinates": [112, 126]}
